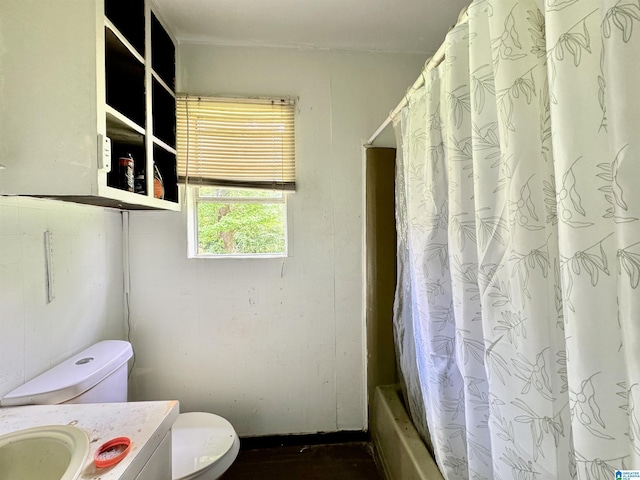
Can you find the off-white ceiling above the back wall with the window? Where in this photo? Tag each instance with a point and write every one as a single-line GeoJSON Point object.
{"type": "Point", "coordinates": [380, 25]}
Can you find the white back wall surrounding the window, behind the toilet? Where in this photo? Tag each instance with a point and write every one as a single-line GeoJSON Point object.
{"type": "Point", "coordinates": [276, 346]}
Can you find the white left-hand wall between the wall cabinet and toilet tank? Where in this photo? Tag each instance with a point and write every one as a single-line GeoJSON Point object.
{"type": "Point", "coordinates": [87, 267]}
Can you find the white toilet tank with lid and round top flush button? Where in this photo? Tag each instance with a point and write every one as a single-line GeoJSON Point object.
{"type": "Point", "coordinates": [95, 375]}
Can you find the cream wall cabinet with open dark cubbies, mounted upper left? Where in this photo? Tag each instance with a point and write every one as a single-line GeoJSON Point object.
{"type": "Point", "coordinates": [73, 73]}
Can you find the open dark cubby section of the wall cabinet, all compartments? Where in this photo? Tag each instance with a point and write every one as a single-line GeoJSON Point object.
{"type": "Point", "coordinates": [144, 128]}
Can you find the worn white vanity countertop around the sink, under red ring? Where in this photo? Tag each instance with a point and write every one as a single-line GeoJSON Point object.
{"type": "Point", "coordinates": [145, 423]}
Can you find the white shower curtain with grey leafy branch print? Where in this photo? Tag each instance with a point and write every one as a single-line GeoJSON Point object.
{"type": "Point", "coordinates": [518, 190]}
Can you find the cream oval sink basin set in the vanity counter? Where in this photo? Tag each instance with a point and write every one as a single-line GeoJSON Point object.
{"type": "Point", "coordinates": [51, 452]}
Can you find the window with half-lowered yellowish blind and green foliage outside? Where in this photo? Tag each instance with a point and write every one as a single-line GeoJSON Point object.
{"type": "Point", "coordinates": [237, 160]}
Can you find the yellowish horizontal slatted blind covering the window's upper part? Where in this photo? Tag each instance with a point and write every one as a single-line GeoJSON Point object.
{"type": "Point", "coordinates": [236, 142]}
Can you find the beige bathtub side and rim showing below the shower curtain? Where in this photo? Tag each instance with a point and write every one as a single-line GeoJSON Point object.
{"type": "Point", "coordinates": [399, 450]}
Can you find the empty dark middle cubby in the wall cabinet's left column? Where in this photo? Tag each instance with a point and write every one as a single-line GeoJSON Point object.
{"type": "Point", "coordinates": [124, 80]}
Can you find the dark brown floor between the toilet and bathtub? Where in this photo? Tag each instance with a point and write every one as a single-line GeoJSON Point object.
{"type": "Point", "coordinates": [345, 461]}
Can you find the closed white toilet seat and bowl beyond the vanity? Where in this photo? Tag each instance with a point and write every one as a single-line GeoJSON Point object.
{"type": "Point", "coordinates": [200, 442]}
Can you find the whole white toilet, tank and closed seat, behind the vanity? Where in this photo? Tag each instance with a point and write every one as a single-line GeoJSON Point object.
{"type": "Point", "coordinates": [204, 445]}
